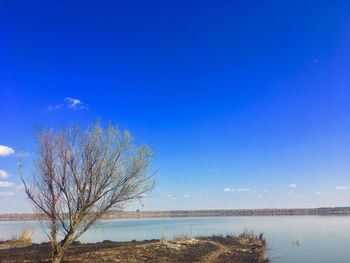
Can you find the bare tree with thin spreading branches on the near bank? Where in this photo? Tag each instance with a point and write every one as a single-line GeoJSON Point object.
{"type": "Point", "coordinates": [83, 174]}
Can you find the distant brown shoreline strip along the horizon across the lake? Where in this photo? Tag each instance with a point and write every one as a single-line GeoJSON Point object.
{"type": "Point", "coordinates": [322, 211]}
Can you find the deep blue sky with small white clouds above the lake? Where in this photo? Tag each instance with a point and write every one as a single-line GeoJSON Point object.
{"type": "Point", "coordinates": [245, 104]}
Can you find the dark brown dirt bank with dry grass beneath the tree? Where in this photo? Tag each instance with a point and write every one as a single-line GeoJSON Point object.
{"type": "Point", "coordinates": [207, 249]}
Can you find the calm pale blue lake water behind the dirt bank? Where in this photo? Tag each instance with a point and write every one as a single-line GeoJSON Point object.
{"type": "Point", "coordinates": [291, 239]}
